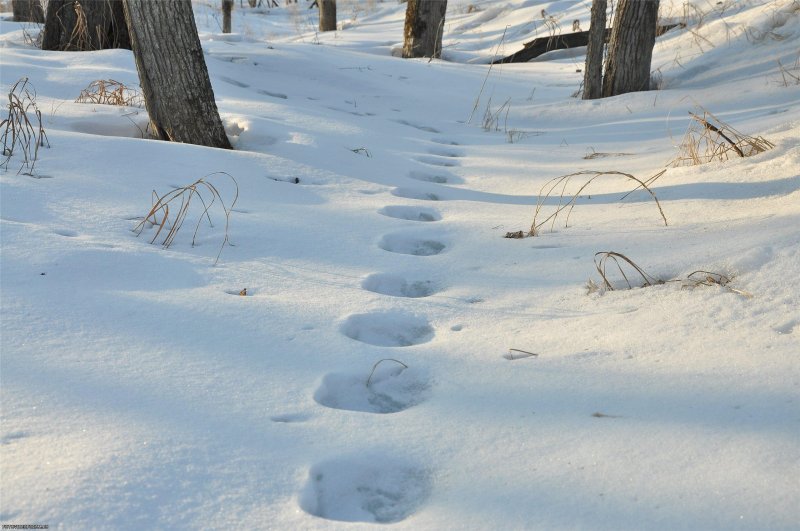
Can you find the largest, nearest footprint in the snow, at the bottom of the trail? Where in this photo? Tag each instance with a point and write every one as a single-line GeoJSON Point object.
{"type": "Point", "coordinates": [373, 487]}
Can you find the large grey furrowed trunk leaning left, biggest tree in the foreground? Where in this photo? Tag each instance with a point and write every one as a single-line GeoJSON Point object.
{"type": "Point", "coordinates": [173, 74]}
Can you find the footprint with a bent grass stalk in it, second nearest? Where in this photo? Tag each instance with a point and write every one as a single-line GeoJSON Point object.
{"type": "Point", "coordinates": [391, 387]}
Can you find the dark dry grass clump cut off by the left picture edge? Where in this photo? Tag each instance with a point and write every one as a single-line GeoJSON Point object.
{"type": "Point", "coordinates": [22, 129]}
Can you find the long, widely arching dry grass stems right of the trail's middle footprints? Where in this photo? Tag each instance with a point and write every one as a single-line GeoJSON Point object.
{"type": "Point", "coordinates": [551, 188]}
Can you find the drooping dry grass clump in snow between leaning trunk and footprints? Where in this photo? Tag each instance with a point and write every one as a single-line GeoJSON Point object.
{"type": "Point", "coordinates": [205, 192]}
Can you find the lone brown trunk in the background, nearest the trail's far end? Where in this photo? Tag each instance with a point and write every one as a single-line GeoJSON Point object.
{"type": "Point", "coordinates": [424, 26]}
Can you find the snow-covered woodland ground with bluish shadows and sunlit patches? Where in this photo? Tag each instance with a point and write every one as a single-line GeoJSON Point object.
{"type": "Point", "coordinates": [140, 390]}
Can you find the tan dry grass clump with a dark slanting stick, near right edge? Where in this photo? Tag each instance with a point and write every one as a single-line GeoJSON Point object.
{"type": "Point", "coordinates": [708, 139]}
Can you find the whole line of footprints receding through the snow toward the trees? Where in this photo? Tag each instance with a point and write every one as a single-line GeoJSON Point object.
{"type": "Point", "coordinates": [384, 488]}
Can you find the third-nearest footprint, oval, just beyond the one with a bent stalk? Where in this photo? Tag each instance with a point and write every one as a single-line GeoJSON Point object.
{"type": "Point", "coordinates": [388, 329]}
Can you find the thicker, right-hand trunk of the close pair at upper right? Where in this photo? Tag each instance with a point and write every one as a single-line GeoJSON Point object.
{"type": "Point", "coordinates": [631, 48]}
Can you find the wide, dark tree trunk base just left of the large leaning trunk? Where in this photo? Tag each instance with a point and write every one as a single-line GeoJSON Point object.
{"type": "Point", "coordinates": [82, 25]}
